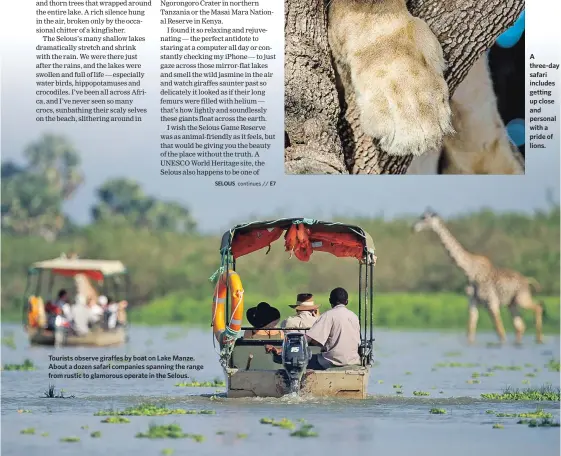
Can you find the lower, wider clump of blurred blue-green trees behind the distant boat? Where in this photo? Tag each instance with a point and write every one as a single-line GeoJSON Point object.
{"type": "Point", "coordinates": [124, 201]}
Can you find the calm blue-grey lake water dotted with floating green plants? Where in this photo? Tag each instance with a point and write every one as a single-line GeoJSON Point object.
{"type": "Point", "coordinates": [384, 424]}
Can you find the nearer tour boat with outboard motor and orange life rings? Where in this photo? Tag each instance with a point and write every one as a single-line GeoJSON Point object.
{"type": "Point", "coordinates": [275, 368]}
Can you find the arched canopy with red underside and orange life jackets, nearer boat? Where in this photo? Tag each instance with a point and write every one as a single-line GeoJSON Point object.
{"type": "Point", "coordinates": [302, 237]}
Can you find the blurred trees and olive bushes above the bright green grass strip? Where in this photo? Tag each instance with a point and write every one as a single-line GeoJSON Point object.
{"type": "Point", "coordinates": [158, 241]}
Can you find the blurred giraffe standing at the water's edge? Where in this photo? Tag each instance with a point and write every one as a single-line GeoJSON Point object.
{"type": "Point", "coordinates": [489, 287]}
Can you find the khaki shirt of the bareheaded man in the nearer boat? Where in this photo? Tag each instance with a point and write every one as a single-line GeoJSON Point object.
{"type": "Point", "coordinates": [338, 331]}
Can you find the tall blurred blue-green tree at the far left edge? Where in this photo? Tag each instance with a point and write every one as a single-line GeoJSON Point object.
{"type": "Point", "coordinates": [33, 194]}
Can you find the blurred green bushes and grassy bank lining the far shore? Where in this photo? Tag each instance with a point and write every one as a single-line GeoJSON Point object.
{"type": "Point", "coordinates": [416, 285]}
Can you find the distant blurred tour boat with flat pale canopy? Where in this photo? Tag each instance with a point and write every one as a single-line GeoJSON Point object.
{"type": "Point", "coordinates": [112, 279]}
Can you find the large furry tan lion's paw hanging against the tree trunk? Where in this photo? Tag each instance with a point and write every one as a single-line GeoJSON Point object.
{"type": "Point", "coordinates": [396, 71]}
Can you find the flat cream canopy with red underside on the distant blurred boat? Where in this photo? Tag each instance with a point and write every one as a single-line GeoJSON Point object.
{"type": "Point", "coordinates": [94, 269]}
